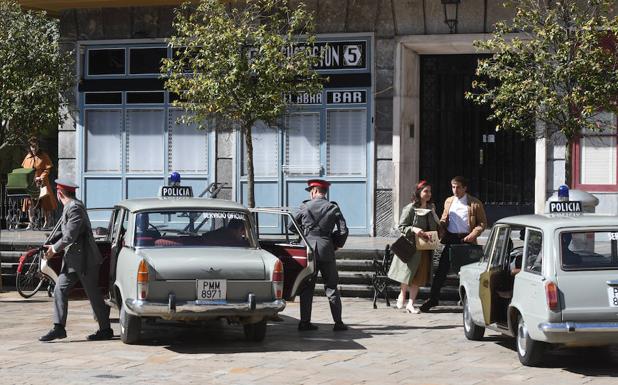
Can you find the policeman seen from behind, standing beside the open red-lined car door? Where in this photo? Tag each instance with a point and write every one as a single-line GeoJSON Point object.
{"type": "Point", "coordinates": [318, 218]}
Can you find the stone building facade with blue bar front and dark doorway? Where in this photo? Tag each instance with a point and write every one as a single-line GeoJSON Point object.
{"type": "Point", "coordinates": [392, 113]}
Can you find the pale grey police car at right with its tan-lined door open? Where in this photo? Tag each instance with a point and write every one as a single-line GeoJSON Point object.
{"type": "Point", "coordinates": [545, 280]}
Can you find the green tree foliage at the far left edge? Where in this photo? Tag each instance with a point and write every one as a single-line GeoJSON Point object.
{"type": "Point", "coordinates": [33, 74]}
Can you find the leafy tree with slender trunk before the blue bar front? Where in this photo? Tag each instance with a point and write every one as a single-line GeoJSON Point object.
{"type": "Point", "coordinates": [238, 64]}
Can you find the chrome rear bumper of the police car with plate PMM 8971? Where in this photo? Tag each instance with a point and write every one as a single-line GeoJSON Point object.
{"type": "Point", "coordinates": [195, 310]}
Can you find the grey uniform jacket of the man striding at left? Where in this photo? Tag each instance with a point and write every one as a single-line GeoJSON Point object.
{"type": "Point", "coordinates": [81, 253]}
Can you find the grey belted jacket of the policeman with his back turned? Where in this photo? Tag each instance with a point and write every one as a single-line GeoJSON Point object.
{"type": "Point", "coordinates": [318, 218]}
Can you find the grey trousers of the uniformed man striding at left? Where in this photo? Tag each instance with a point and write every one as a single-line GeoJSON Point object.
{"type": "Point", "coordinates": [66, 280]}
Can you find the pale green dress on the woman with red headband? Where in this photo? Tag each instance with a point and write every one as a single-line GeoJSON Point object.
{"type": "Point", "coordinates": [411, 216]}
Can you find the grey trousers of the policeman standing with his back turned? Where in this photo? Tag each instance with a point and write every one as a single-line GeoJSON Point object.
{"type": "Point", "coordinates": [328, 269]}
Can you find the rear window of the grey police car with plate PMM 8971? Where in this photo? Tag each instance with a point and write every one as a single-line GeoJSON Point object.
{"type": "Point", "coordinates": [193, 228]}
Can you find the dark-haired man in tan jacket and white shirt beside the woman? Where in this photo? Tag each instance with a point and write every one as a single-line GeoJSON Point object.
{"type": "Point", "coordinates": [462, 221]}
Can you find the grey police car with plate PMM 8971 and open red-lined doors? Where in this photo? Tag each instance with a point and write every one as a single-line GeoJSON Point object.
{"type": "Point", "coordinates": [193, 259]}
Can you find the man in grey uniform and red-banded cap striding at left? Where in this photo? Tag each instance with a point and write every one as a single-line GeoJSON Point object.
{"type": "Point", "coordinates": [81, 262]}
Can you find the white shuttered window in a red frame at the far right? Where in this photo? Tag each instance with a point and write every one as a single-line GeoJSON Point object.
{"type": "Point", "coordinates": [597, 154]}
